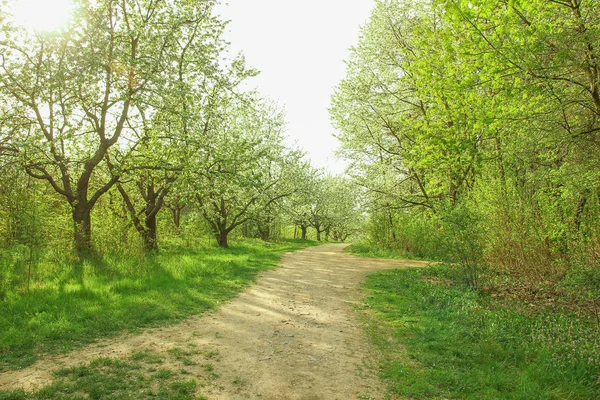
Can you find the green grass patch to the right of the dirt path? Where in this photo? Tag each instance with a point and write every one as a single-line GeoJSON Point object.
{"type": "Point", "coordinates": [441, 340]}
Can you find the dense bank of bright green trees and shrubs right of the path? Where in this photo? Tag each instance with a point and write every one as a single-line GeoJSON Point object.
{"type": "Point", "coordinates": [474, 128]}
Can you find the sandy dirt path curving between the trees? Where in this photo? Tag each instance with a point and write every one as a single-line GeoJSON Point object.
{"type": "Point", "coordinates": [292, 335]}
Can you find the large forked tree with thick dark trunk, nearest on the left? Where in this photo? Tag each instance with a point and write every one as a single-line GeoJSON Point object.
{"type": "Point", "coordinates": [78, 96]}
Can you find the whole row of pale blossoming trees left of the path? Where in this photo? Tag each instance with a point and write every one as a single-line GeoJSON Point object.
{"type": "Point", "coordinates": [135, 108]}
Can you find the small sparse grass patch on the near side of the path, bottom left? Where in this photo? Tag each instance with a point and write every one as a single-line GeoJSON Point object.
{"type": "Point", "coordinates": [135, 378]}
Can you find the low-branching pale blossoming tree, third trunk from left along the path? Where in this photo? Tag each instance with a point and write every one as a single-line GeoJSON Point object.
{"type": "Point", "coordinates": [244, 167]}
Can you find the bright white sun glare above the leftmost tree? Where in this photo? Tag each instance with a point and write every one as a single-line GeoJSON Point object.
{"type": "Point", "coordinates": [42, 15]}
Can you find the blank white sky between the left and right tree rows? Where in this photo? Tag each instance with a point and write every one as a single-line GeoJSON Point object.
{"type": "Point", "coordinates": [299, 47]}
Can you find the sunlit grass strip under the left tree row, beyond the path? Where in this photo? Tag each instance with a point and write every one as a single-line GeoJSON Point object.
{"type": "Point", "coordinates": [66, 307]}
